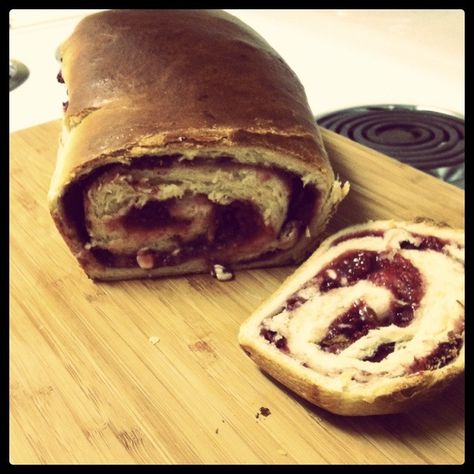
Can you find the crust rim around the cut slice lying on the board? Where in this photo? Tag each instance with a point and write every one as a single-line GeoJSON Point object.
{"type": "Point", "coordinates": [385, 394]}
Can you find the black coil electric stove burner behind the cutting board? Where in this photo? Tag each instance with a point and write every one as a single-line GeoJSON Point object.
{"type": "Point", "coordinates": [429, 140]}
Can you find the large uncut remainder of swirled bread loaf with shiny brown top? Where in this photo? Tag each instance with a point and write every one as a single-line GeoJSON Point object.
{"type": "Point", "coordinates": [187, 142]}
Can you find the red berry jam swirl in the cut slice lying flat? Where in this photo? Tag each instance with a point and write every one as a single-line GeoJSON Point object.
{"type": "Point", "coordinates": [384, 269]}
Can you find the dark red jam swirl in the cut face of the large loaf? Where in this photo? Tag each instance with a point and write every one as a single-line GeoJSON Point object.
{"type": "Point", "coordinates": [238, 226]}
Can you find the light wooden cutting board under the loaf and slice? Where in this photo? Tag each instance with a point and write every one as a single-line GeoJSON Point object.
{"type": "Point", "coordinates": [151, 372]}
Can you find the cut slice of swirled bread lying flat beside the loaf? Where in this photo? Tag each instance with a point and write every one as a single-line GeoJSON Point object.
{"type": "Point", "coordinates": [372, 323]}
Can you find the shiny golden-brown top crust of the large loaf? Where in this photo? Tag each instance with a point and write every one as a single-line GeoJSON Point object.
{"type": "Point", "coordinates": [142, 75]}
